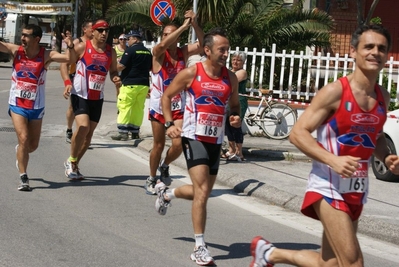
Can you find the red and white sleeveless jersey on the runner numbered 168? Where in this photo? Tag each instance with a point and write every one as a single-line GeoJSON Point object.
{"type": "Point", "coordinates": [205, 108]}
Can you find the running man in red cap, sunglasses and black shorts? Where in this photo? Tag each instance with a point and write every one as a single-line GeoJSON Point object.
{"type": "Point", "coordinates": [96, 58]}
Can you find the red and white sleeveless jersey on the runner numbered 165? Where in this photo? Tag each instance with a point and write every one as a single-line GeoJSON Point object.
{"type": "Point", "coordinates": [350, 131]}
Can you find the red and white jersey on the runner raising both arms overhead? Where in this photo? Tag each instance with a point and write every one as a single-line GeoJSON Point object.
{"type": "Point", "coordinates": [161, 81]}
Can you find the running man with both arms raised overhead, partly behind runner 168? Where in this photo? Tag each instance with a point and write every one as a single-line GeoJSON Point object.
{"type": "Point", "coordinates": [168, 60]}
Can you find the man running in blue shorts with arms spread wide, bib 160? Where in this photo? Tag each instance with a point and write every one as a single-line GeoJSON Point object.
{"type": "Point", "coordinates": [27, 94]}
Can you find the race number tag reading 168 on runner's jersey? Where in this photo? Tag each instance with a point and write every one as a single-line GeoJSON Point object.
{"type": "Point", "coordinates": [210, 125]}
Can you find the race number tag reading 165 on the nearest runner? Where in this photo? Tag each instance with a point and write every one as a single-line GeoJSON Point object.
{"type": "Point", "coordinates": [358, 183]}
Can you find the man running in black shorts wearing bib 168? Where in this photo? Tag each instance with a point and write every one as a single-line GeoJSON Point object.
{"type": "Point", "coordinates": [209, 87]}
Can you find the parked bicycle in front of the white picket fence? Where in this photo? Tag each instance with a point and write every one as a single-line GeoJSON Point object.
{"type": "Point", "coordinates": [276, 120]}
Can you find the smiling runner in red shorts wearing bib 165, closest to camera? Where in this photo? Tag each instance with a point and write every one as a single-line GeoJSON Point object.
{"type": "Point", "coordinates": [348, 115]}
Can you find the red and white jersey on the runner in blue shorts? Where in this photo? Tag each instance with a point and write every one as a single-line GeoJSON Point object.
{"type": "Point", "coordinates": [28, 81]}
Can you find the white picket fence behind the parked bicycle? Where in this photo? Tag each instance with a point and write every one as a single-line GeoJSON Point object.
{"type": "Point", "coordinates": [314, 71]}
